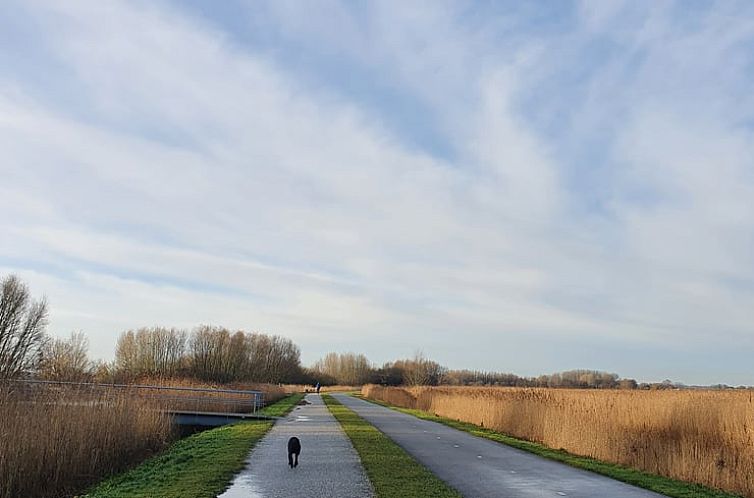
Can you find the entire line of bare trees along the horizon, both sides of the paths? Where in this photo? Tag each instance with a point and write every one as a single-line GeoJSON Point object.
{"type": "Point", "coordinates": [216, 354]}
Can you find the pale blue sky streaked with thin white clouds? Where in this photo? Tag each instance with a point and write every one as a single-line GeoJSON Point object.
{"type": "Point", "coordinates": [526, 187]}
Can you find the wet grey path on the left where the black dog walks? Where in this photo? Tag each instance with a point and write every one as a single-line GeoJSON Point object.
{"type": "Point", "coordinates": [328, 465]}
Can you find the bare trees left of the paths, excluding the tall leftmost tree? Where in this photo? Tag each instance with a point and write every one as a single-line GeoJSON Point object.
{"type": "Point", "coordinates": [207, 353]}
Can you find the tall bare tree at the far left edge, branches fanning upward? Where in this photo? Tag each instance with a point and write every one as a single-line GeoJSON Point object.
{"type": "Point", "coordinates": [22, 328]}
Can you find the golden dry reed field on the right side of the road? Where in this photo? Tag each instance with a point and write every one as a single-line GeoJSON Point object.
{"type": "Point", "coordinates": [699, 436]}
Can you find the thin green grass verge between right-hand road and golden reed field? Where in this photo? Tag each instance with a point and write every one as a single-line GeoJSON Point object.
{"type": "Point", "coordinates": [652, 482]}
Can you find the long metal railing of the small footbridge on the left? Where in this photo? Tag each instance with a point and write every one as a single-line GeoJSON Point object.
{"type": "Point", "coordinates": [166, 398]}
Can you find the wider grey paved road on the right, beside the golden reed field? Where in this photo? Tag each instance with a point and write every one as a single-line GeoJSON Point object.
{"type": "Point", "coordinates": [480, 468]}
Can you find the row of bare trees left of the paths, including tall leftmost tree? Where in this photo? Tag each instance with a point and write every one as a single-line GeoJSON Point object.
{"type": "Point", "coordinates": [207, 353]}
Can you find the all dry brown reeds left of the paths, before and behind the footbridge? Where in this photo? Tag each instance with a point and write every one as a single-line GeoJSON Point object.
{"type": "Point", "coordinates": [57, 439]}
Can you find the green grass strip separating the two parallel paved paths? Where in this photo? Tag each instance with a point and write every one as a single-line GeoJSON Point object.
{"type": "Point", "coordinates": [392, 471]}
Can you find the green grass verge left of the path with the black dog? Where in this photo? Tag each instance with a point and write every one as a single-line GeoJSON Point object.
{"type": "Point", "coordinates": [198, 466]}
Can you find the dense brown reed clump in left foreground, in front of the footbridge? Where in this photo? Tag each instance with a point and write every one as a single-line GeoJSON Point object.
{"type": "Point", "coordinates": [56, 442]}
